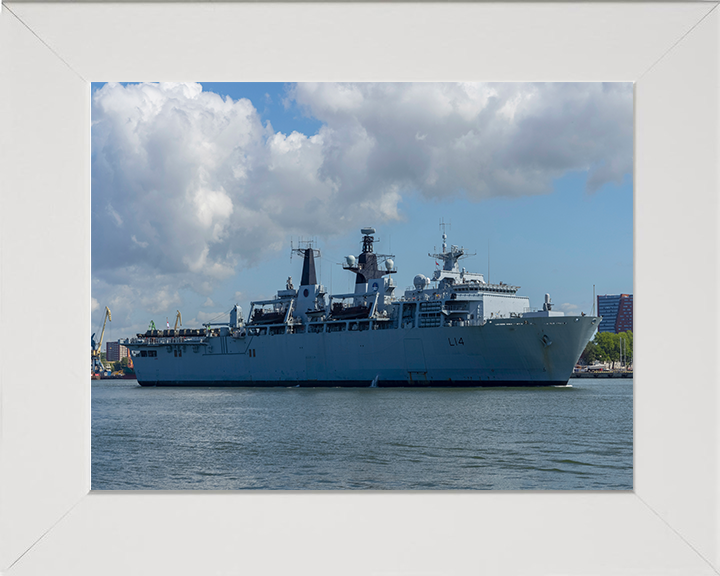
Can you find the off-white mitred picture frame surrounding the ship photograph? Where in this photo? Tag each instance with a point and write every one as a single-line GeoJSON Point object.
{"type": "Point", "coordinates": [50, 520]}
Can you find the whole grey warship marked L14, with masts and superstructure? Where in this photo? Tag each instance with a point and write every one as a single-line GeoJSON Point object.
{"type": "Point", "coordinates": [451, 330]}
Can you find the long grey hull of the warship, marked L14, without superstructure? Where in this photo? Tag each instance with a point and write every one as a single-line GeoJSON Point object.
{"type": "Point", "coordinates": [508, 352]}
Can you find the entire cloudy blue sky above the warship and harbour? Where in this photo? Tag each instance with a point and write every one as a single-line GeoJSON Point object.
{"type": "Point", "coordinates": [196, 198]}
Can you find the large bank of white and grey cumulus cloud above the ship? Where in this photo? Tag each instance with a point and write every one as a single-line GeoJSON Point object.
{"type": "Point", "coordinates": [188, 187]}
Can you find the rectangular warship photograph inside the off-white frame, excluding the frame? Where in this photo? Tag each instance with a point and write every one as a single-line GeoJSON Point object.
{"type": "Point", "coordinates": [246, 369]}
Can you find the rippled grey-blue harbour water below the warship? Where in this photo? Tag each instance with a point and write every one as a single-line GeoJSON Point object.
{"type": "Point", "coordinates": [558, 438]}
